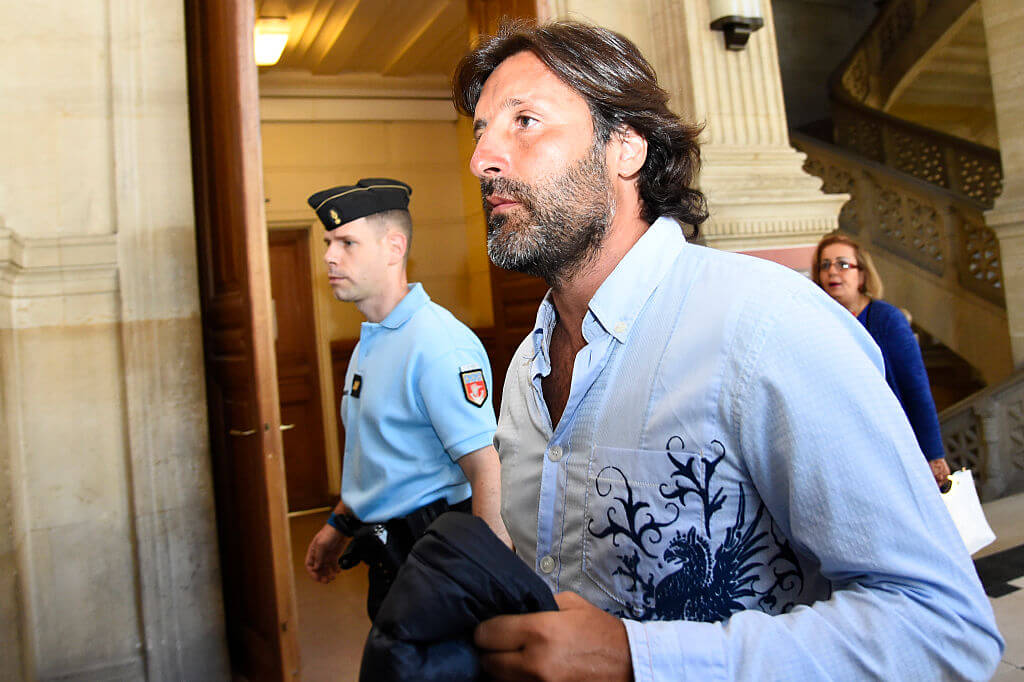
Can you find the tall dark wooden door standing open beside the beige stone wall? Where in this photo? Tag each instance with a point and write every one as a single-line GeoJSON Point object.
{"type": "Point", "coordinates": [238, 342]}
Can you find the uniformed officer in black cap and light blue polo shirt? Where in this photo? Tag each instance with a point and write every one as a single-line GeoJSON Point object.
{"type": "Point", "coordinates": [416, 404]}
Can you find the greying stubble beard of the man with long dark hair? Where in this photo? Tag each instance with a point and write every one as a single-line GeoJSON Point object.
{"type": "Point", "coordinates": [561, 224]}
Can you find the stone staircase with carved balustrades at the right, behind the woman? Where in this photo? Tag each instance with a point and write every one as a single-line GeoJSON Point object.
{"type": "Point", "coordinates": [913, 124]}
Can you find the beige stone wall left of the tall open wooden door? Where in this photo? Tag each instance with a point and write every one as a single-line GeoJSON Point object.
{"type": "Point", "coordinates": [107, 533]}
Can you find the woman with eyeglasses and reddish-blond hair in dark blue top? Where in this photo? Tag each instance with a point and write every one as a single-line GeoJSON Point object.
{"type": "Point", "coordinates": [846, 273]}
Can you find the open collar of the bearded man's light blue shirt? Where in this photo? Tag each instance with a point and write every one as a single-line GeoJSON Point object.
{"type": "Point", "coordinates": [625, 292]}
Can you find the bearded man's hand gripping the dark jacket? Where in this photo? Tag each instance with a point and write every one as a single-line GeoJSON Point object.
{"type": "Point", "coordinates": [579, 643]}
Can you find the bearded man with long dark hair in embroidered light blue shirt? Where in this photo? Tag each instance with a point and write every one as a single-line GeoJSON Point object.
{"type": "Point", "coordinates": [699, 449]}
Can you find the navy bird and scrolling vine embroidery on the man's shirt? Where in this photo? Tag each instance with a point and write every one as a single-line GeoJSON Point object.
{"type": "Point", "coordinates": [704, 584]}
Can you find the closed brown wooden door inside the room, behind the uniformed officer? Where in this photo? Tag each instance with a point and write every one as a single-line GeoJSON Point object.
{"type": "Point", "coordinates": [298, 370]}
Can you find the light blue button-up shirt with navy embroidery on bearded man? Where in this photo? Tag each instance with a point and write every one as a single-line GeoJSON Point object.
{"type": "Point", "coordinates": [734, 479]}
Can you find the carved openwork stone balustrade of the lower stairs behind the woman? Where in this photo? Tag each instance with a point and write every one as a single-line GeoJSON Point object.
{"type": "Point", "coordinates": [944, 238]}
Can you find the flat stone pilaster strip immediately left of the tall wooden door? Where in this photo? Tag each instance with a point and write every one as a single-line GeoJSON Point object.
{"type": "Point", "coordinates": [165, 412]}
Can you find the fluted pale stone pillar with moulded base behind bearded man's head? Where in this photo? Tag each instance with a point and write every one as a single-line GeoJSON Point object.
{"type": "Point", "coordinates": [761, 200]}
